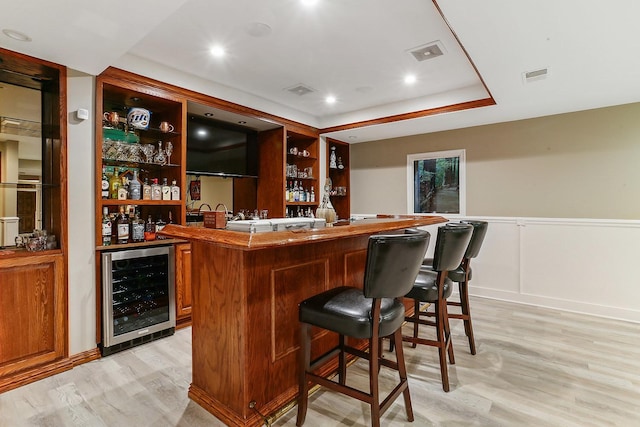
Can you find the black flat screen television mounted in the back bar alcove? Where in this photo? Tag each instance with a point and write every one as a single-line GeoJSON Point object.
{"type": "Point", "coordinates": [217, 148]}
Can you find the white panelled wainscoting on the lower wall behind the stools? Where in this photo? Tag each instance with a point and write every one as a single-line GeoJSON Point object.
{"type": "Point", "coordinates": [580, 265]}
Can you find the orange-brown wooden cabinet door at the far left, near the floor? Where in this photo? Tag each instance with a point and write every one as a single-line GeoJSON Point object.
{"type": "Point", "coordinates": [32, 313]}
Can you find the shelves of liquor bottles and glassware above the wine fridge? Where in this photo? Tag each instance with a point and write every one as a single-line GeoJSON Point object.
{"type": "Point", "coordinates": [141, 175]}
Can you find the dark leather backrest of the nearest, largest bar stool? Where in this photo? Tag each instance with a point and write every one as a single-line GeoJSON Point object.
{"type": "Point", "coordinates": [393, 262]}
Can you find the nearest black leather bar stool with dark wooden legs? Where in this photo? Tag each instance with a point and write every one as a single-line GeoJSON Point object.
{"type": "Point", "coordinates": [376, 311]}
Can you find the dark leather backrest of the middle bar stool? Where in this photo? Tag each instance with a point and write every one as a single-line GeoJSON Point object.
{"type": "Point", "coordinates": [451, 244]}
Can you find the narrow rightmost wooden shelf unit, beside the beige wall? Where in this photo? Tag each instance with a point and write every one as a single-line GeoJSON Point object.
{"type": "Point", "coordinates": [338, 170]}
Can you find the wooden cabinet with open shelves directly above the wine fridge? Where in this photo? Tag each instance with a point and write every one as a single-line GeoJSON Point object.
{"type": "Point", "coordinates": [123, 149]}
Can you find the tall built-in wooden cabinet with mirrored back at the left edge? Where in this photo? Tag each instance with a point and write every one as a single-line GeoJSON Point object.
{"type": "Point", "coordinates": [33, 285]}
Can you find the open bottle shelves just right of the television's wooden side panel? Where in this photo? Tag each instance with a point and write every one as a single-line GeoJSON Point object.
{"type": "Point", "coordinates": [301, 184]}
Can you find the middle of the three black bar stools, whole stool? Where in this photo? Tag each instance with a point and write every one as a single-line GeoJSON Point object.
{"type": "Point", "coordinates": [433, 286]}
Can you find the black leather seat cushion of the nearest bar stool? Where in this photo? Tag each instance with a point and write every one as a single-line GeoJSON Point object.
{"type": "Point", "coordinates": [345, 310]}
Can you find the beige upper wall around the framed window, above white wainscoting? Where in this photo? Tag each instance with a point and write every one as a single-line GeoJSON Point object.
{"type": "Point", "coordinates": [577, 165]}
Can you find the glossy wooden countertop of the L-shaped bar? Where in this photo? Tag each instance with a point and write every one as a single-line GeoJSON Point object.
{"type": "Point", "coordinates": [269, 239]}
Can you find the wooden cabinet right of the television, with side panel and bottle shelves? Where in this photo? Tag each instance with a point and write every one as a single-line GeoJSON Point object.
{"type": "Point", "coordinates": [280, 149]}
